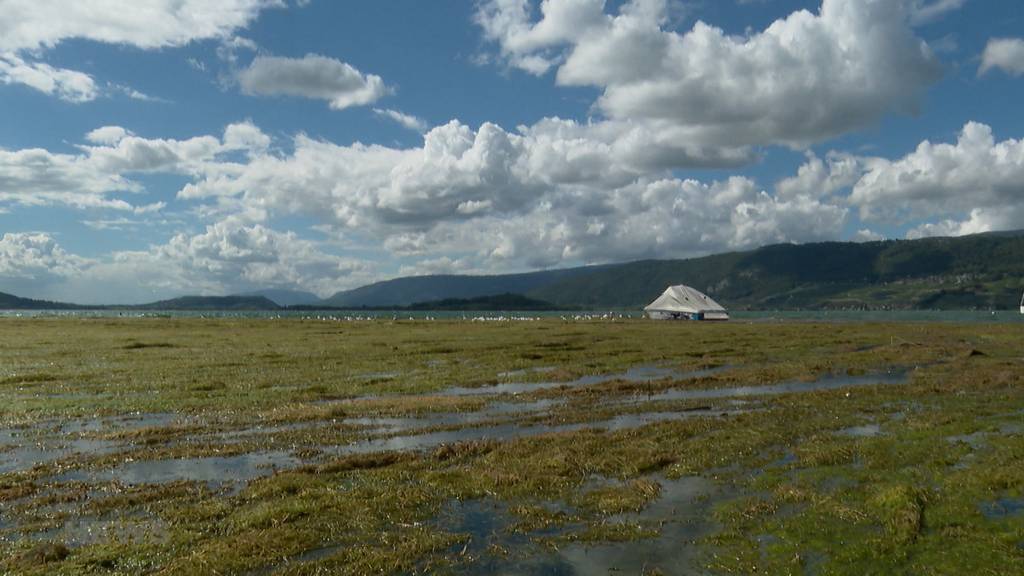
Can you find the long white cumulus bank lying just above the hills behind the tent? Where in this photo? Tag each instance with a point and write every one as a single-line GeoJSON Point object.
{"type": "Point", "coordinates": [660, 219]}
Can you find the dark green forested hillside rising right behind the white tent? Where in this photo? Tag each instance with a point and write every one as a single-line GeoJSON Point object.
{"type": "Point", "coordinates": [983, 271]}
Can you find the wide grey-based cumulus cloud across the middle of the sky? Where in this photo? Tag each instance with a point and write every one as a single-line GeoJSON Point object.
{"type": "Point", "coordinates": [458, 174]}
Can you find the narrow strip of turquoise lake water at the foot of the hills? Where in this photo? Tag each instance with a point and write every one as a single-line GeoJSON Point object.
{"type": "Point", "coordinates": [987, 317]}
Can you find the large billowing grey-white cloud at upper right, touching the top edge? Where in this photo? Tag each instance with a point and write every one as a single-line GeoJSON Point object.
{"type": "Point", "coordinates": [805, 78]}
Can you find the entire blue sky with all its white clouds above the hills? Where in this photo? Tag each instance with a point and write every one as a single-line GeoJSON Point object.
{"type": "Point", "coordinates": [199, 147]}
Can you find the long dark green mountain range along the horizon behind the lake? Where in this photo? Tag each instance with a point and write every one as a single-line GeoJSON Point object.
{"type": "Point", "coordinates": [984, 271]}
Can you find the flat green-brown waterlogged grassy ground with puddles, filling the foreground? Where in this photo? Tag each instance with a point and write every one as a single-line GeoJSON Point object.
{"type": "Point", "coordinates": [214, 446]}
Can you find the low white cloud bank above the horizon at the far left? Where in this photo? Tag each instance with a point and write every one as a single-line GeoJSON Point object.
{"type": "Point", "coordinates": [229, 257]}
